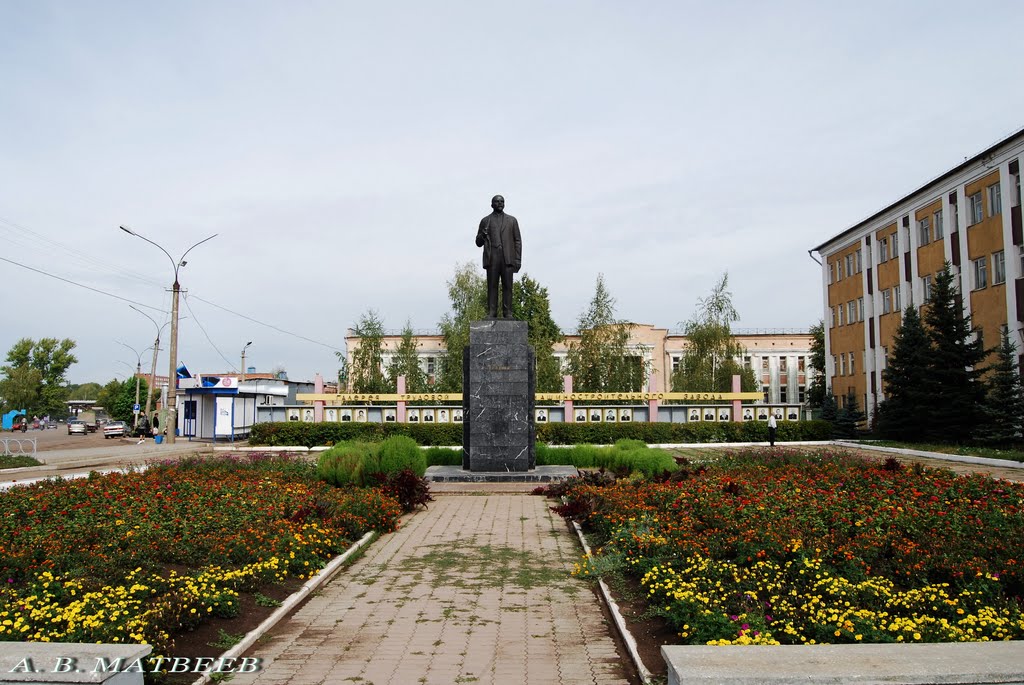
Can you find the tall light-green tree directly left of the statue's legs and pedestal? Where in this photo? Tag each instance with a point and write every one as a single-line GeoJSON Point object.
{"type": "Point", "coordinates": [468, 294]}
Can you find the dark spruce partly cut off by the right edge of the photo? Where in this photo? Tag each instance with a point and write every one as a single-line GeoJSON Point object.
{"type": "Point", "coordinates": [1004, 409]}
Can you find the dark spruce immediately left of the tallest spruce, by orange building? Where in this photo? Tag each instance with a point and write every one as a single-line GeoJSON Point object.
{"type": "Point", "coordinates": [906, 410]}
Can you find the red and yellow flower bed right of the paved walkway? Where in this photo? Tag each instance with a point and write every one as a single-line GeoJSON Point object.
{"type": "Point", "coordinates": [776, 547]}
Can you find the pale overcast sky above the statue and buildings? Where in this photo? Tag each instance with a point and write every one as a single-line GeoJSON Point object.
{"type": "Point", "coordinates": [346, 152]}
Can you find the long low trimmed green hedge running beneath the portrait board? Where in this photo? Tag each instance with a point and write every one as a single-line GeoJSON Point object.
{"type": "Point", "coordinates": [314, 435]}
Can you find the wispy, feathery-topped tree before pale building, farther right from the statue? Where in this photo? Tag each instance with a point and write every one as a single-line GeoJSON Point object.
{"type": "Point", "coordinates": [711, 358]}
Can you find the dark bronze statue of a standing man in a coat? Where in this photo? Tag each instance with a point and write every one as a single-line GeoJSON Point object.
{"type": "Point", "coordinates": [499, 236]}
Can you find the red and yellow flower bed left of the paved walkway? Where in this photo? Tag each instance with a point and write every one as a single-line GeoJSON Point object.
{"type": "Point", "coordinates": [143, 556]}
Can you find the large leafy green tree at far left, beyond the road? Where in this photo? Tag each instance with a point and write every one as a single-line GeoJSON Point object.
{"type": "Point", "coordinates": [52, 358]}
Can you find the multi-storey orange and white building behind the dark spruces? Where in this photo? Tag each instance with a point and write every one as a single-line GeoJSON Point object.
{"type": "Point", "coordinates": [969, 217]}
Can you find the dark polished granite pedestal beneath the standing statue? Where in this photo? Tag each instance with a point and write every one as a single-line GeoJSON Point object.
{"type": "Point", "coordinates": [498, 399]}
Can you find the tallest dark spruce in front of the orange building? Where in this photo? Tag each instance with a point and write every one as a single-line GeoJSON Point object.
{"type": "Point", "coordinates": [956, 390]}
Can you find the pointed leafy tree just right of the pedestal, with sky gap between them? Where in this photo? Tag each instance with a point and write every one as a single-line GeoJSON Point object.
{"type": "Point", "coordinates": [602, 361]}
